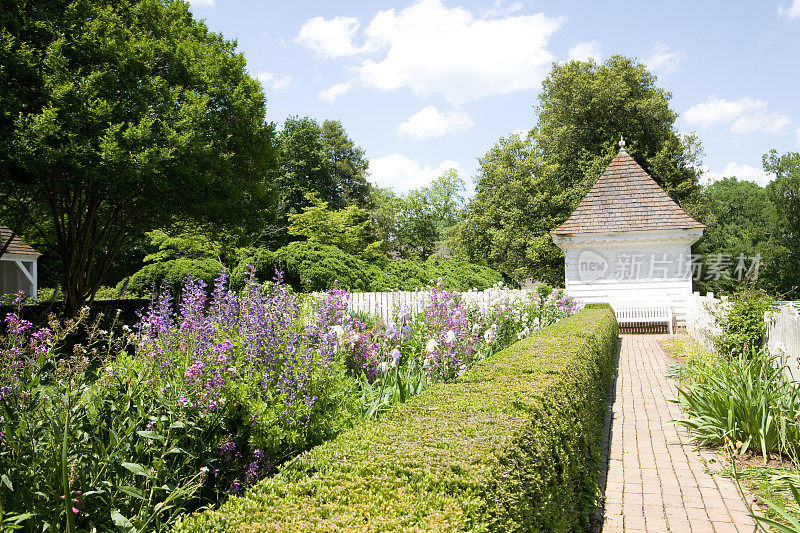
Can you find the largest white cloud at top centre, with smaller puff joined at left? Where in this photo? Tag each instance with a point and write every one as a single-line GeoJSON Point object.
{"type": "Point", "coordinates": [431, 49]}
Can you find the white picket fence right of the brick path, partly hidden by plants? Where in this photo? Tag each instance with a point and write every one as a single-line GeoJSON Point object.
{"type": "Point", "coordinates": [783, 325]}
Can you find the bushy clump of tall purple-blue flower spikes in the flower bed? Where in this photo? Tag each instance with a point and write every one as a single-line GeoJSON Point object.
{"type": "Point", "coordinates": [245, 361]}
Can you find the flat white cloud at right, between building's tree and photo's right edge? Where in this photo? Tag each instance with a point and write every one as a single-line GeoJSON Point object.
{"type": "Point", "coordinates": [745, 115]}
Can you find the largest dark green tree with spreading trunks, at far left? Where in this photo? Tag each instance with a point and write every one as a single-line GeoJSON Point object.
{"type": "Point", "coordinates": [134, 115]}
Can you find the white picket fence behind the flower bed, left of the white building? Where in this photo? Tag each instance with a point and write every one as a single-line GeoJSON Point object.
{"type": "Point", "coordinates": [387, 304]}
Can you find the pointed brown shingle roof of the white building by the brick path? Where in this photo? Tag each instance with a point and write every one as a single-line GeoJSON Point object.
{"type": "Point", "coordinates": [626, 198]}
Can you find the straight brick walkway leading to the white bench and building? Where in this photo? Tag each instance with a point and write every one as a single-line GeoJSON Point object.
{"type": "Point", "coordinates": [656, 481]}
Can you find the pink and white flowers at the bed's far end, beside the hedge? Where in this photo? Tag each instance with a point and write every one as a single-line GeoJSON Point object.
{"type": "Point", "coordinates": [402, 357]}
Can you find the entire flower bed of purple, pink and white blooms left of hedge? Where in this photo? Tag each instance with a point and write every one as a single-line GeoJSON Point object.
{"type": "Point", "coordinates": [207, 395]}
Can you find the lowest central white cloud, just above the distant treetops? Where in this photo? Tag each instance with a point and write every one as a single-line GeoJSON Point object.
{"type": "Point", "coordinates": [403, 174]}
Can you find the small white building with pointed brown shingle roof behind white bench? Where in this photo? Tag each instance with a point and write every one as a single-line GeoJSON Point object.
{"type": "Point", "coordinates": [629, 241]}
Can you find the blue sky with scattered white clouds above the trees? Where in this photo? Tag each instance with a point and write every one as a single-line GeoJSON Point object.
{"type": "Point", "coordinates": [428, 85]}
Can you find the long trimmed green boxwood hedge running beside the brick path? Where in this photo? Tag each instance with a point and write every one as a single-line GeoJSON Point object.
{"type": "Point", "coordinates": [512, 445]}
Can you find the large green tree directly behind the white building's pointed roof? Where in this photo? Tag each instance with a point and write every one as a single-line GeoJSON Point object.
{"type": "Point", "coordinates": [527, 187]}
